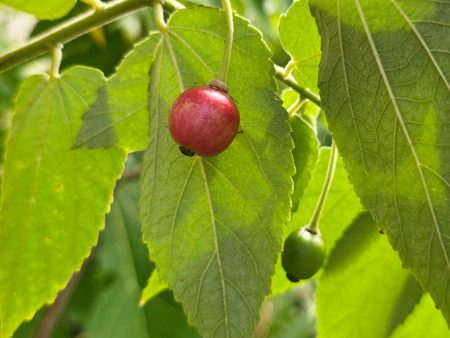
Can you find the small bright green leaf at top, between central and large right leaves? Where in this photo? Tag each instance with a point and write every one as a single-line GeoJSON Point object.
{"type": "Point", "coordinates": [300, 38]}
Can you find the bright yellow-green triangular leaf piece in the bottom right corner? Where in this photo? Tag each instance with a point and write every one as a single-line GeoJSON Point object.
{"type": "Point", "coordinates": [425, 321]}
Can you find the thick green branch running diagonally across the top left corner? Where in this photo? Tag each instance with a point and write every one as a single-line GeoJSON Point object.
{"type": "Point", "coordinates": [69, 30]}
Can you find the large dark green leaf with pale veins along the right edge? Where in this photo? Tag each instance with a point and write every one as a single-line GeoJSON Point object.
{"type": "Point", "coordinates": [385, 84]}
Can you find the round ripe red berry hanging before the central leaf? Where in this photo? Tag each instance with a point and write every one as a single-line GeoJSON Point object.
{"type": "Point", "coordinates": [204, 120]}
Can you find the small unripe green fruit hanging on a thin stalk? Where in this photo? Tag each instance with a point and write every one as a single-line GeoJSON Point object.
{"type": "Point", "coordinates": [303, 254]}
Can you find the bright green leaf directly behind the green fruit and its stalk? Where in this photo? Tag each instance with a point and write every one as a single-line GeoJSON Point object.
{"type": "Point", "coordinates": [339, 210]}
